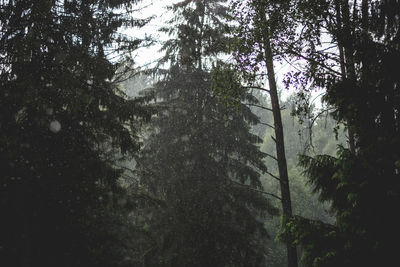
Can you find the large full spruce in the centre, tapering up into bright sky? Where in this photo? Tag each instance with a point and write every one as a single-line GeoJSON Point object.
{"type": "Point", "coordinates": [200, 159]}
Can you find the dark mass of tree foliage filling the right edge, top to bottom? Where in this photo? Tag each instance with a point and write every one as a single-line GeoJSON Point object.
{"type": "Point", "coordinates": [363, 185]}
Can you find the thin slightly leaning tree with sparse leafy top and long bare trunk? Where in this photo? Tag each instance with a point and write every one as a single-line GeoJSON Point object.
{"type": "Point", "coordinates": [260, 28]}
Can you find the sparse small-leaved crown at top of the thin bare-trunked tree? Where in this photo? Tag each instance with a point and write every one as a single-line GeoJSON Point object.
{"type": "Point", "coordinates": [247, 46]}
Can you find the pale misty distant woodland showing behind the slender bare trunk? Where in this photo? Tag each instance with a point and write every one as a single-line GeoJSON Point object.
{"type": "Point", "coordinates": [297, 141]}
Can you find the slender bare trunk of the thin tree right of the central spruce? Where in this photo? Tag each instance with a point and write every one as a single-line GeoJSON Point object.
{"type": "Point", "coordinates": [279, 139]}
